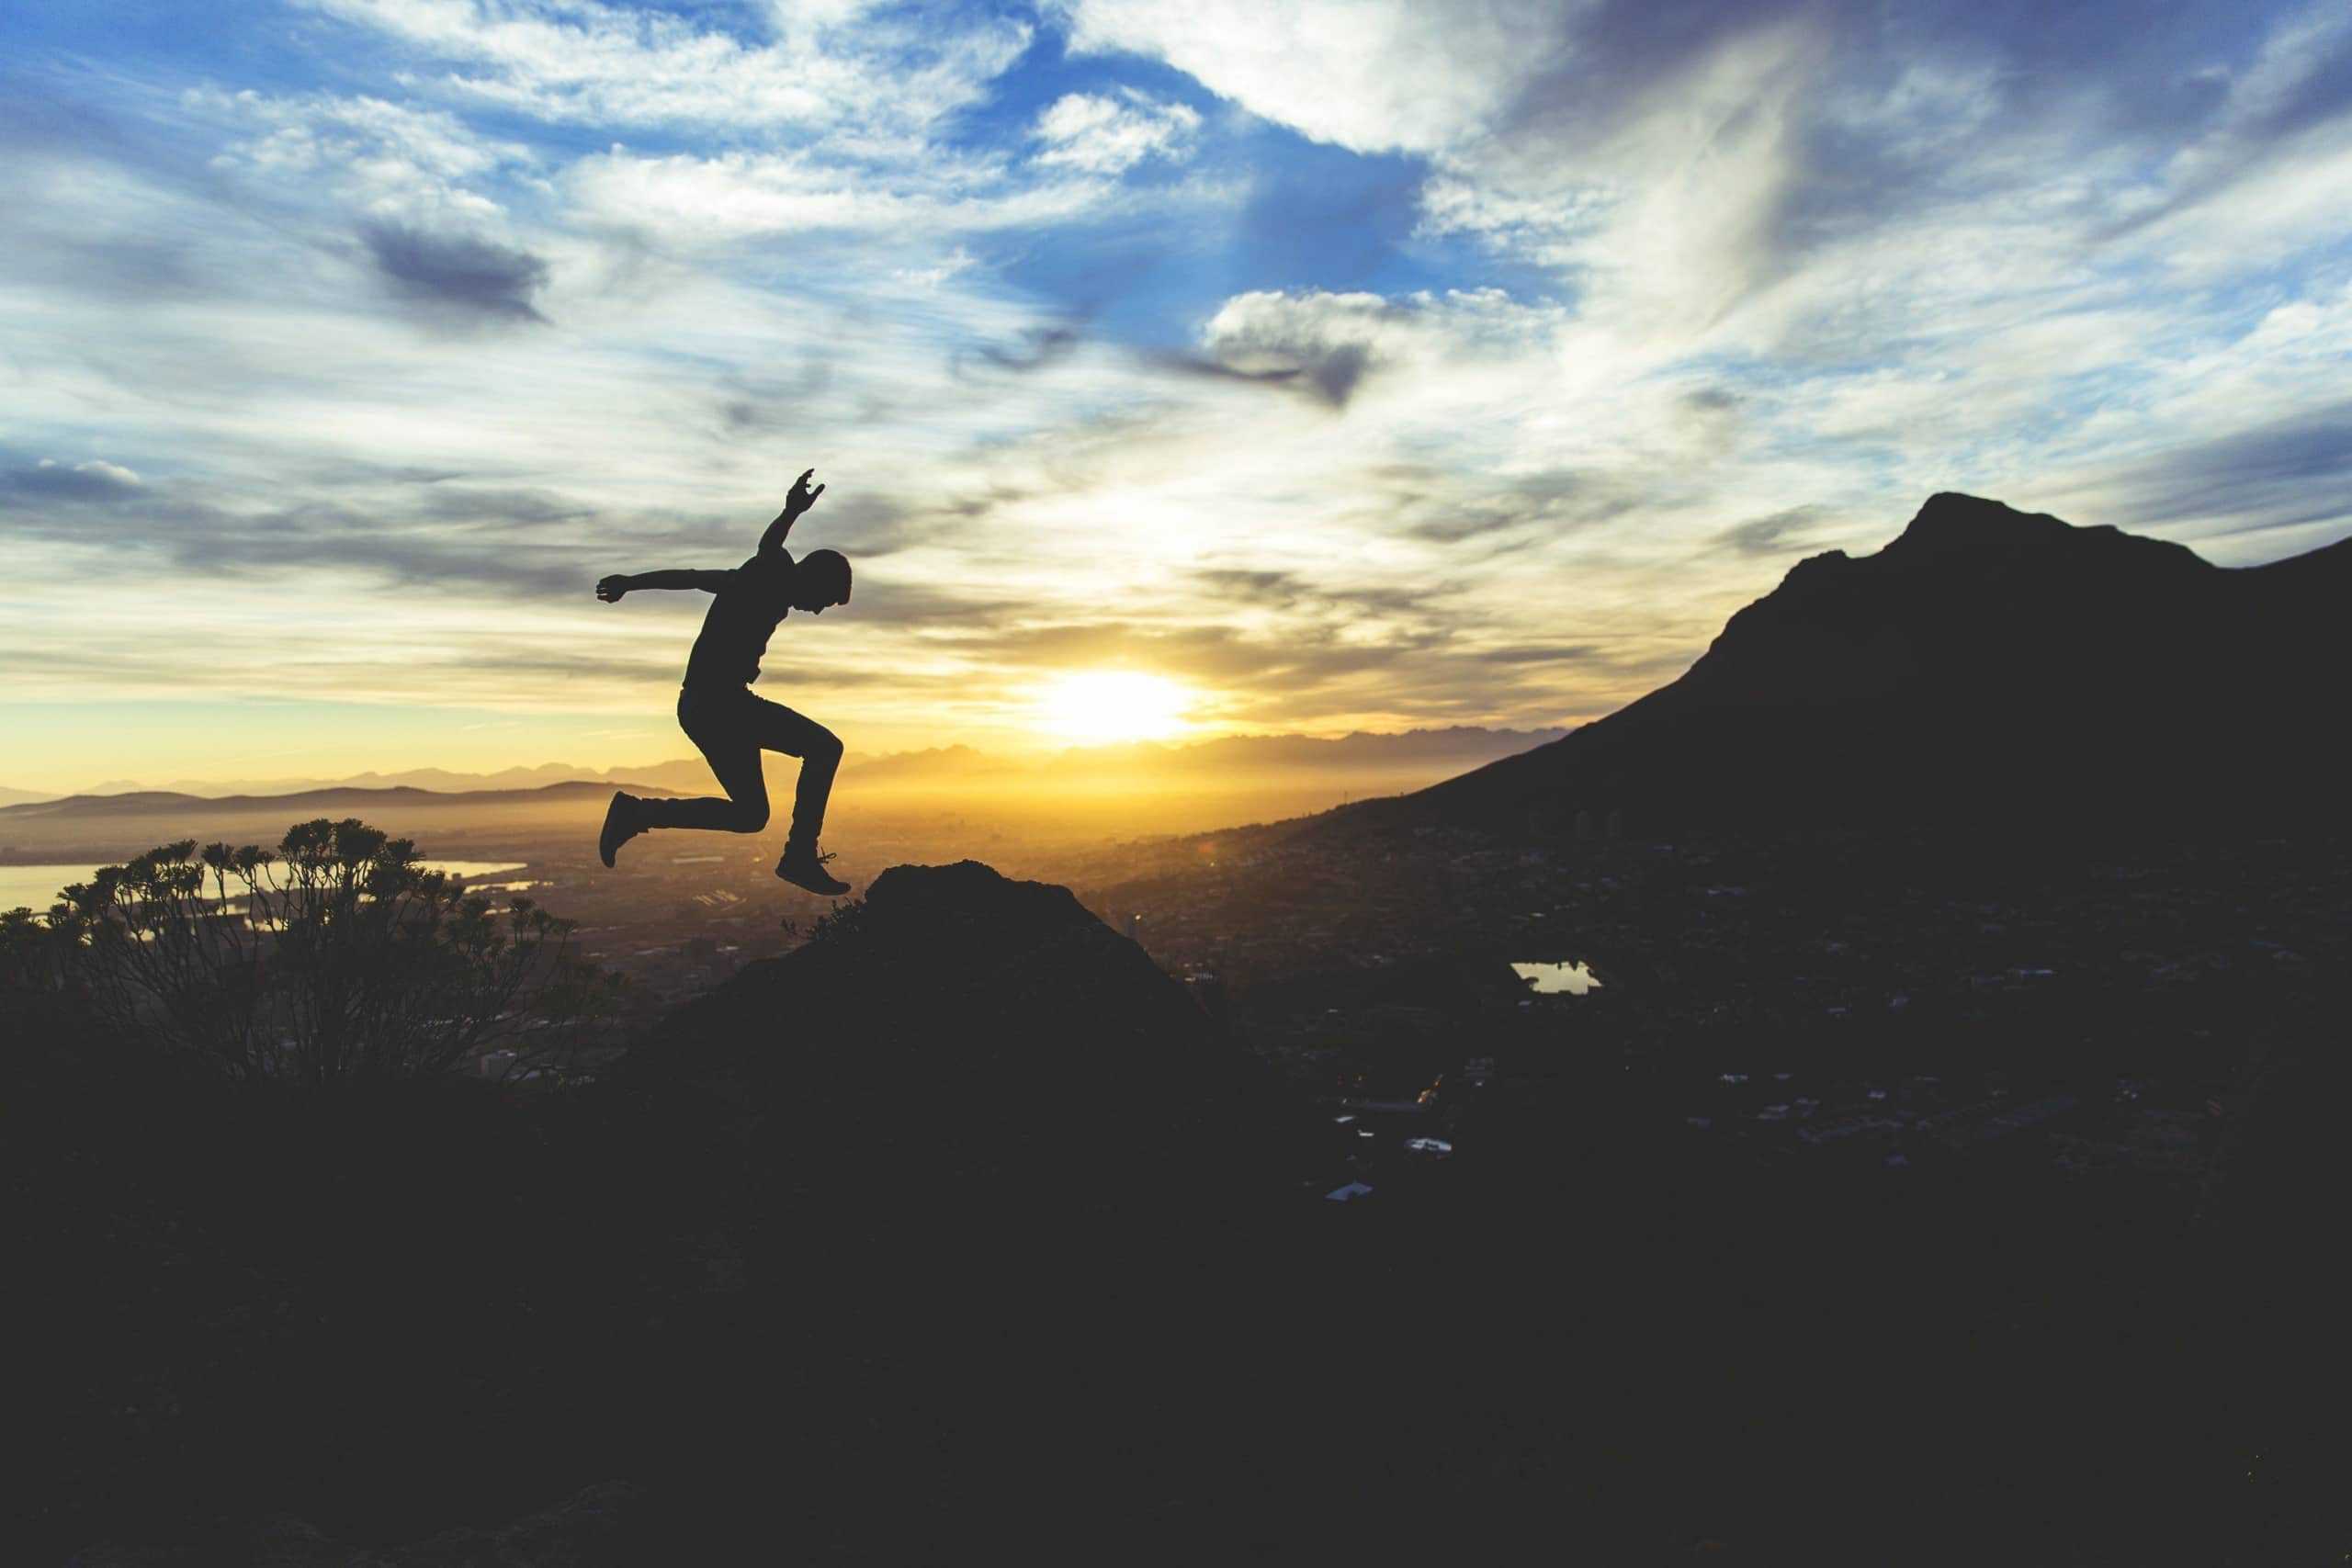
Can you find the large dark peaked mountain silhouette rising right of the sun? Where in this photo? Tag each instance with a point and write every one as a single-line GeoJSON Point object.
{"type": "Point", "coordinates": [1989, 666]}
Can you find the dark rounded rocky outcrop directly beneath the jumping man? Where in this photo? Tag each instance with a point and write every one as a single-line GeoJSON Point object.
{"type": "Point", "coordinates": [961, 1045]}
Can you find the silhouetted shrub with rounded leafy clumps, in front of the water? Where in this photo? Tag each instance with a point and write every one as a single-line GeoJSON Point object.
{"type": "Point", "coordinates": [338, 958]}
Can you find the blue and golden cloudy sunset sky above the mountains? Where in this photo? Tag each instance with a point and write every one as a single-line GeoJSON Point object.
{"type": "Point", "coordinates": [1342, 363]}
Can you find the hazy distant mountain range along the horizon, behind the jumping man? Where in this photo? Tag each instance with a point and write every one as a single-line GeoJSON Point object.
{"type": "Point", "coordinates": [1417, 751]}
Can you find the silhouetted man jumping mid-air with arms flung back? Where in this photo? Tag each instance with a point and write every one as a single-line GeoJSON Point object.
{"type": "Point", "coordinates": [726, 721]}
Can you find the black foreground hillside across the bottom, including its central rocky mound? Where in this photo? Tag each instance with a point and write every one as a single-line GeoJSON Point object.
{"type": "Point", "coordinates": [963, 1233]}
